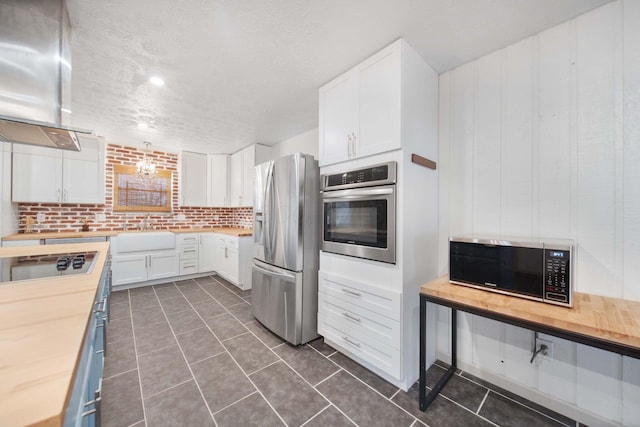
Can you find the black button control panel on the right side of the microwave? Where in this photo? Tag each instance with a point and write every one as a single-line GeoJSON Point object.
{"type": "Point", "coordinates": [557, 286]}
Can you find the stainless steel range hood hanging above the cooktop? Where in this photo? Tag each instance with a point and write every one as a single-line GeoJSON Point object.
{"type": "Point", "coordinates": [35, 65]}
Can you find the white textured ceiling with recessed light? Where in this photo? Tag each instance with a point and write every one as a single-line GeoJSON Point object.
{"type": "Point", "coordinates": [239, 72]}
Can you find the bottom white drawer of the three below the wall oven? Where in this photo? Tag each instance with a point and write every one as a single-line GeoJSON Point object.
{"type": "Point", "coordinates": [385, 358]}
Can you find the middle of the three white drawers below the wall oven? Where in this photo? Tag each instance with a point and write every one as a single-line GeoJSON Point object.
{"type": "Point", "coordinates": [359, 322]}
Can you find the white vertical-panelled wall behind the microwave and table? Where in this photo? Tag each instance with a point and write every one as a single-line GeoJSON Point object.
{"type": "Point", "coordinates": [542, 139]}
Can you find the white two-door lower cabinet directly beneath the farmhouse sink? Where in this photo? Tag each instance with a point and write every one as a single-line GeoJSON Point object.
{"type": "Point", "coordinates": [140, 267]}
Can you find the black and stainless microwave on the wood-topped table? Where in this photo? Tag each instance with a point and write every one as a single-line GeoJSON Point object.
{"type": "Point", "coordinates": [540, 270]}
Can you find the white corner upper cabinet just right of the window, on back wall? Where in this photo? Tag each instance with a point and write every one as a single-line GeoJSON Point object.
{"type": "Point", "coordinates": [203, 179]}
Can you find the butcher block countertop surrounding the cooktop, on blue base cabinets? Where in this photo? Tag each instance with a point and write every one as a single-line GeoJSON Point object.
{"type": "Point", "coordinates": [42, 327]}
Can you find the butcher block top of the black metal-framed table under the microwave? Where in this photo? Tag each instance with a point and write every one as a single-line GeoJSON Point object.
{"type": "Point", "coordinates": [611, 320]}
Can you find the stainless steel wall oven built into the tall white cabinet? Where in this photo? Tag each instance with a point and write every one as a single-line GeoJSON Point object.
{"type": "Point", "coordinates": [359, 213]}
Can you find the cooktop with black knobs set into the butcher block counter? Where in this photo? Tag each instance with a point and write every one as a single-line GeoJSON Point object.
{"type": "Point", "coordinates": [41, 266]}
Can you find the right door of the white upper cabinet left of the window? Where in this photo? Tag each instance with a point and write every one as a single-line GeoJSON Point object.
{"type": "Point", "coordinates": [83, 173]}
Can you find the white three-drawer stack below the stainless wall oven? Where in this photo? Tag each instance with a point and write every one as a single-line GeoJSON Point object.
{"type": "Point", "coordinates": [364, 320]}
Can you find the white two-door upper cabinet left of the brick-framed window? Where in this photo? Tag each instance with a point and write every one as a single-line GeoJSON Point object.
{"type": "Point", "coordinates": [48, 175]}
